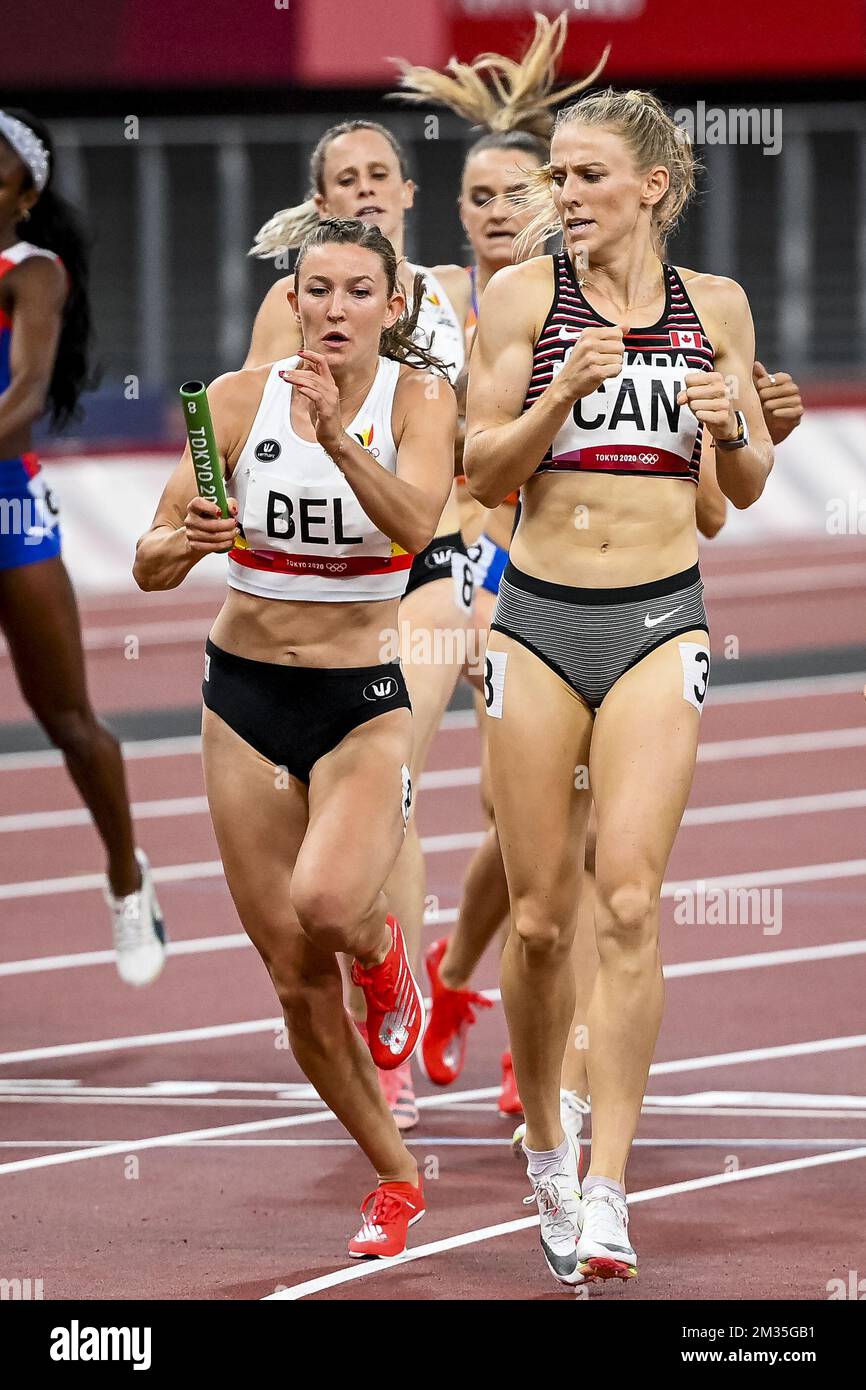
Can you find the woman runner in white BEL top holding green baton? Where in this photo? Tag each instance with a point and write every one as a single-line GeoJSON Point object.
{"type": "Point", "coordinates": [340, 466]}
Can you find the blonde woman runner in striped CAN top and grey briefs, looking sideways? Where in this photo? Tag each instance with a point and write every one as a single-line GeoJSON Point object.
{"type": "Point", "coordinates": [596, 375]}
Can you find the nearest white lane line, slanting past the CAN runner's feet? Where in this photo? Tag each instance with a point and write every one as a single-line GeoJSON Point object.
{"type": "Point", "coordinates": [473, 1238]}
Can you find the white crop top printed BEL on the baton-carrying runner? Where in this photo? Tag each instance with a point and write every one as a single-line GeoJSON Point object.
{"type": "Point", "coordinates": [305, 536]}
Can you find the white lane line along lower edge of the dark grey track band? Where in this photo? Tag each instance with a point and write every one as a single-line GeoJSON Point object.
{"type": "Point", "coordinates": [461, 719]}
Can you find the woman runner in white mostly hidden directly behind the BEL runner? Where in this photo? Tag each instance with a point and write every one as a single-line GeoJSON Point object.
{"type": "Point", "coordinates": [359, 170]}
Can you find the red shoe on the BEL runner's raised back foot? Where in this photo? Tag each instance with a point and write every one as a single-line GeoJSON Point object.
{"type": "Point", "coordinates": [395, 1008]}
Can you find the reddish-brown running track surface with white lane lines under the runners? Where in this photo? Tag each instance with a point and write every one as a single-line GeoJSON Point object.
{"type": "Point", "coordinates": [238, 1214]}
